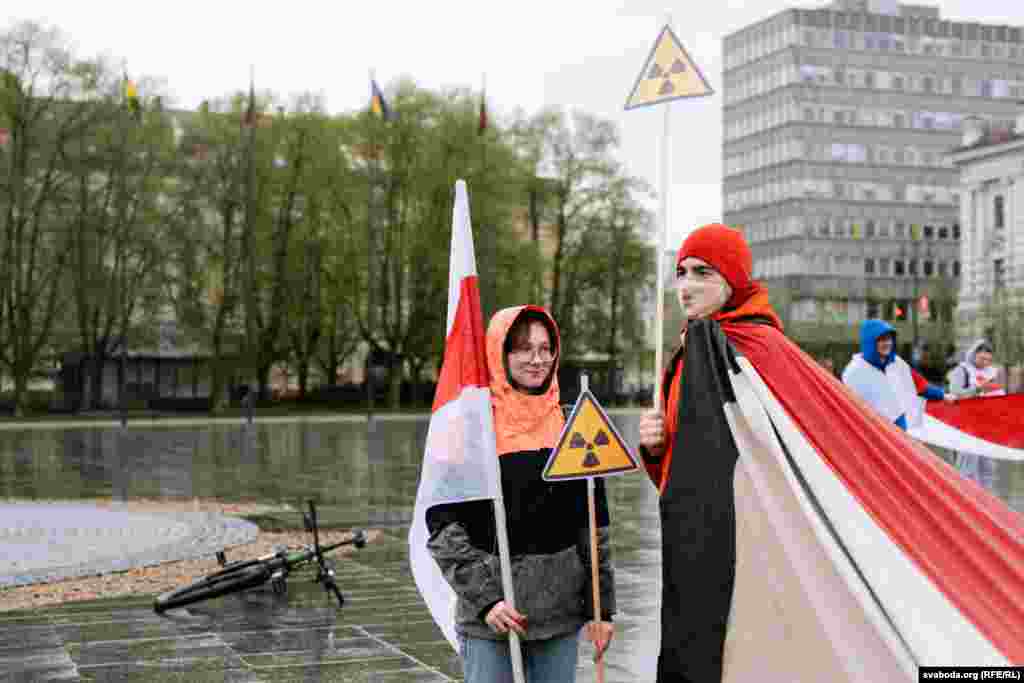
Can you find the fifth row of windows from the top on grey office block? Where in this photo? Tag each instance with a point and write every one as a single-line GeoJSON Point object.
{"type": "Point", "coordinates": [779, 191]}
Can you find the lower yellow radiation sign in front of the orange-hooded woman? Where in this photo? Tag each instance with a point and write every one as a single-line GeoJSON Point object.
{"type": "Point", "coordinates": [590, 446]}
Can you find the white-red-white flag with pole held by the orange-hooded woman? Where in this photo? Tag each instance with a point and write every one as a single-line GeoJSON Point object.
{"type": "Point", "coordinates": [460, 461]}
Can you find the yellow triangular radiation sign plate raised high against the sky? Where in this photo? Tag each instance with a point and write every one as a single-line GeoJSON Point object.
{"type": "Point", "coordinates": [668, 74]}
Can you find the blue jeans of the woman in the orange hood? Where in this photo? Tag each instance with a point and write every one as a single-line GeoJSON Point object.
{"type": "Point", "coordinates": [552, 661]}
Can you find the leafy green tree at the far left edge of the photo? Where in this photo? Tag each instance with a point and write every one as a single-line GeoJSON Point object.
{"type": "Point", "coordinates": [47, 104]}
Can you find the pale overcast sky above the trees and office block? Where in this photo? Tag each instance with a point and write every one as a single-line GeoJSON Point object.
{"type": "Point", "coordinates": [573, 54]}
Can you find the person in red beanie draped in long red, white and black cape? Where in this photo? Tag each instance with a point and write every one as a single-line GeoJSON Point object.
{"type": "Point", "coordinates": [799, 531]}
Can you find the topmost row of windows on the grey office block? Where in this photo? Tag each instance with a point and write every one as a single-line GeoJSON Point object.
{"type": "Point", "coordinates": [760, 45]}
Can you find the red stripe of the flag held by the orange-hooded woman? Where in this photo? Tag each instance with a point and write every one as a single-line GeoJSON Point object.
{"type": "Point", "coordinates": [465, 350]}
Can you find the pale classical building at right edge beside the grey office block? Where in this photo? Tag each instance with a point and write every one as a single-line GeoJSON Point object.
{"type": "Point", "coordinates": [991, 160]}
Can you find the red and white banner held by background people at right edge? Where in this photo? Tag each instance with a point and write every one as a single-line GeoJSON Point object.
{"type": "Point", "coordinates": [989, 426]}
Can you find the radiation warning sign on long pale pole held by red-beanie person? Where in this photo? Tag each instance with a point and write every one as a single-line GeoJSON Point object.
{"type": "Point", "coordinates": [668, 74]}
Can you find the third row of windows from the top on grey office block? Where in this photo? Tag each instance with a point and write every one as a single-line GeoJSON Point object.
{"type": "Point", "coordinates": [799, 111]}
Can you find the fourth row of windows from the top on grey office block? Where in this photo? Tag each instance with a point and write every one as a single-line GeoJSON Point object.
{"type": "Point", "coordinates": [839, 153]}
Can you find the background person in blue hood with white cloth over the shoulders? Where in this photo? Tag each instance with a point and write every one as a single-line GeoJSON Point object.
{"type": "Point", "coordinates": [887, 382]}
